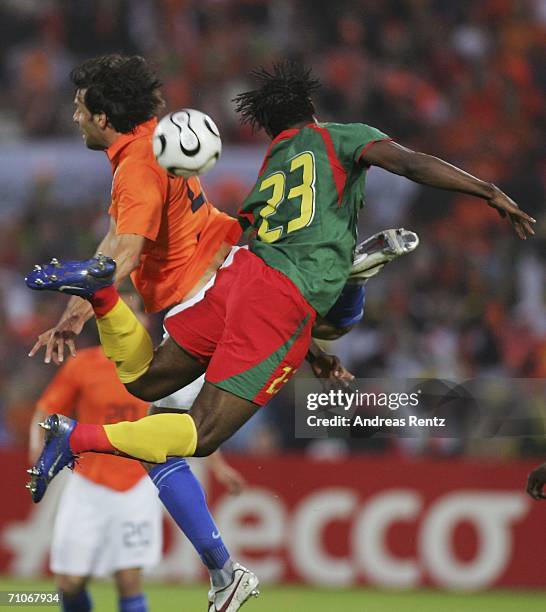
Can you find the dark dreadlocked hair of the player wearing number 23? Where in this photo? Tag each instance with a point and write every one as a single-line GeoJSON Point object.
{"type": "Point", "coordinates": [282, 99]}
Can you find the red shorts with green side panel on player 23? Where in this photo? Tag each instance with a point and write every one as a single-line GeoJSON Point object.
{"type": "Point", "coordinates": [252, 328]}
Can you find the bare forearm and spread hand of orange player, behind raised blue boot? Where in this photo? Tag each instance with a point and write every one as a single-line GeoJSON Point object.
{"type": "Point", "coordinates": [126, 249]}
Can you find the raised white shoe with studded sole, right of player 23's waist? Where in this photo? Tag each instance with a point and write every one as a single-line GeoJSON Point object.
{"type": "Point", "coordinates": [372, 254]}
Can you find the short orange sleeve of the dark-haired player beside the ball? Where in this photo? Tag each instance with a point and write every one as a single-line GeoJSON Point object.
{"type": "Point", "coordinates": [140, 193]}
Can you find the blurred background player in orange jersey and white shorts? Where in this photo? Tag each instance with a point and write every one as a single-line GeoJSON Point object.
{"type": "Point", "coordinates": [109, 519]}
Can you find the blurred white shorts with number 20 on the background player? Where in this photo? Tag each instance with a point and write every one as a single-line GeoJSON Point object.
{"type": "Point", "coordinates": [98, 530]}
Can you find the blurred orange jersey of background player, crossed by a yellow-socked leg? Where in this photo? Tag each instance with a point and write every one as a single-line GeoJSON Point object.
{"type": "Point", "coordinates": [87, 388]}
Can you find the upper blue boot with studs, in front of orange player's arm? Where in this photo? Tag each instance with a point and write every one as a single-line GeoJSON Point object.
{"type": "Point", "coordinates": [81, 278]}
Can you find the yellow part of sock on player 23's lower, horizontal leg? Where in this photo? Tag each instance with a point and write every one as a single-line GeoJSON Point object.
{"type": "Point", "coordinates": [156, 437]}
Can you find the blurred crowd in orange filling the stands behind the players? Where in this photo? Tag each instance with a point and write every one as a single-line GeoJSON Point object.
{"type": "Point", "coordinates": [462, 80]}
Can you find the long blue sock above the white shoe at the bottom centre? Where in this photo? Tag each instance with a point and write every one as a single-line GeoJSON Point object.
{"type": "Point", "coordinates": [184, 498]}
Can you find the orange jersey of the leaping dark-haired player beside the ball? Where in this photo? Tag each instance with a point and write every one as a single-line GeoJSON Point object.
{"type": "Point", "coordinates": [183, 230]}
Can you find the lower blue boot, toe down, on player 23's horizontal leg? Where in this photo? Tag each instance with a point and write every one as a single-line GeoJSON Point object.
{"type": "Point", "coordinates": [56, 455]}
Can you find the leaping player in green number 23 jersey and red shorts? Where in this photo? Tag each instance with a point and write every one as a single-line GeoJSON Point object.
{"type": "Point", "coordinates": [252, 329]}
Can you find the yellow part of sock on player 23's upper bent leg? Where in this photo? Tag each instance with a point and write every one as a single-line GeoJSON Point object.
{"type": "Point", "coordinates": [126, 342]}
